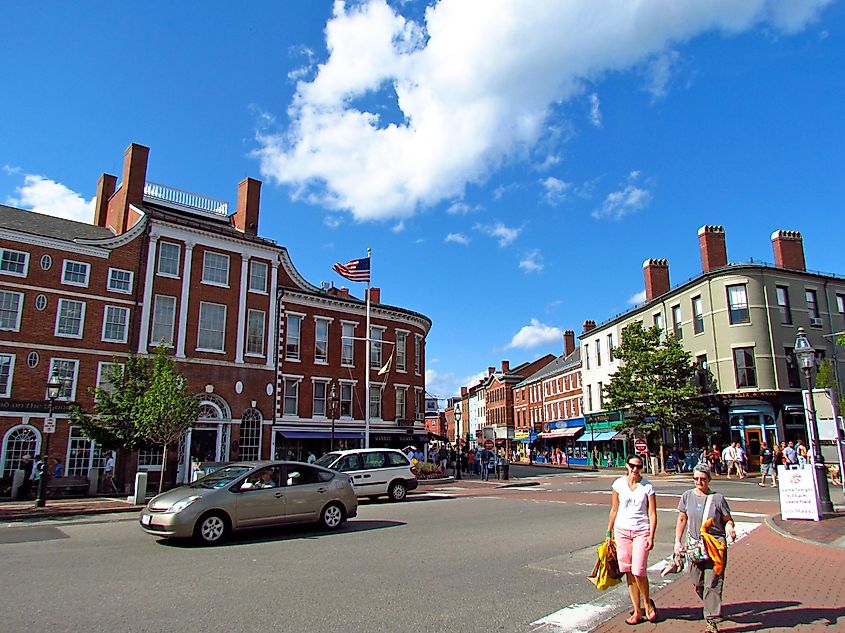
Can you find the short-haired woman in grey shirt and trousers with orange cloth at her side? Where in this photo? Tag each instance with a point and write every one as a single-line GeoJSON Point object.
{"type": "Point", "coordinates": [707, 575]}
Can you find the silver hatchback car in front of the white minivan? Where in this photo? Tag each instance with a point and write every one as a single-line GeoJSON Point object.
{"type": "Point", "coordinates": [251, 495]}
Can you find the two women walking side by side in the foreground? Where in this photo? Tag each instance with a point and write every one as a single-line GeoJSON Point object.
{"type": "Point", "coordinates": [632, 525]}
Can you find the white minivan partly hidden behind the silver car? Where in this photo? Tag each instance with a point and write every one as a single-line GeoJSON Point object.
{"type": "Point", "coordinates": [374, 471]}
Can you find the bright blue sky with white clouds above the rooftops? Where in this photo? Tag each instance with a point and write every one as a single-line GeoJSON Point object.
{"type": "Point", "coordinates": [511, 164]}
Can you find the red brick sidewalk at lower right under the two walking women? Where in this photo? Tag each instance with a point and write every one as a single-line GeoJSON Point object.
{"type": "Point", "coordinates": [772, 583]}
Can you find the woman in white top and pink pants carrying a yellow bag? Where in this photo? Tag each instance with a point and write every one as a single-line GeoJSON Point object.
{"type": "Point", "coordinates": [632, 522]}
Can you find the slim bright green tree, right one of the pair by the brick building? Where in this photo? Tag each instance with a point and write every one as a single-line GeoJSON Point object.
{"type": "Point", "coordinates": [167, 408]}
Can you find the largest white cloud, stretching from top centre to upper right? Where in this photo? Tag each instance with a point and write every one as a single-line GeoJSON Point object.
{"type": "Point", "coordinates": [471, 87]}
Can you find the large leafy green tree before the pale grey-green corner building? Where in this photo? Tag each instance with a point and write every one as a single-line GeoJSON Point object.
{"type": "Point", "coordinates": [655, 385]}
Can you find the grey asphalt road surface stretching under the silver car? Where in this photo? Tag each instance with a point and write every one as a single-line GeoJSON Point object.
{"type": "Point", "coordinates": [467, 557]}
